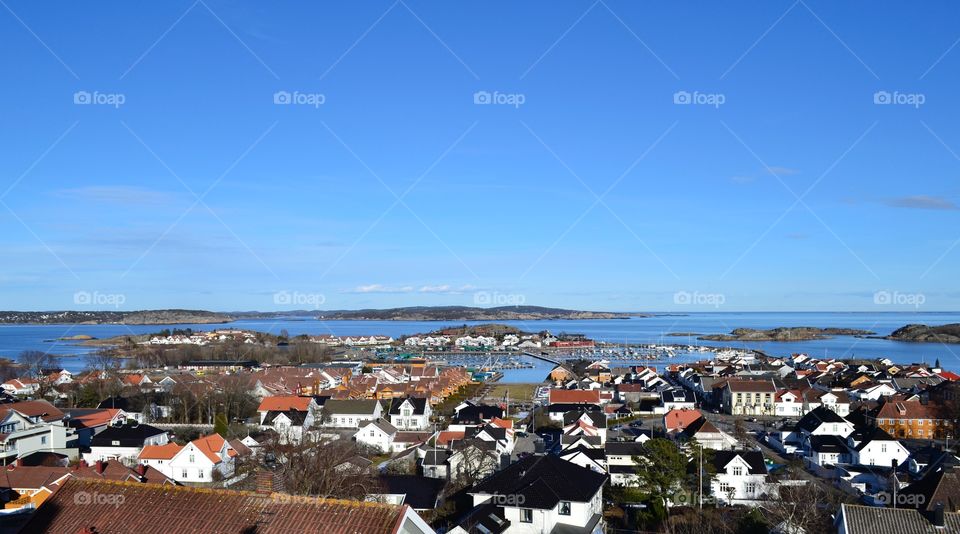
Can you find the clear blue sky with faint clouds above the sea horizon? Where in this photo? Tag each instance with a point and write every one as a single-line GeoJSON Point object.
{"type": "Point", "coordinates": [783, 186]}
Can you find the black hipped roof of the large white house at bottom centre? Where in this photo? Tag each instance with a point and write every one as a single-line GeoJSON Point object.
{"type": "Point", "coordinates": [544, 481]}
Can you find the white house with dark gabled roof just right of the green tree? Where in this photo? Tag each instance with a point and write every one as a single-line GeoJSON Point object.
{"type": "Point", "coordinates": [741, 477]}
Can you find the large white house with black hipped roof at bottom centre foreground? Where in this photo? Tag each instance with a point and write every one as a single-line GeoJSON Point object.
{"type": "Point", "coordinates": [540, 494]}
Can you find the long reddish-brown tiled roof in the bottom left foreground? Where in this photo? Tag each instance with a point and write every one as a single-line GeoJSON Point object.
{"type": "Point", "coordinates": [155, 509]}
